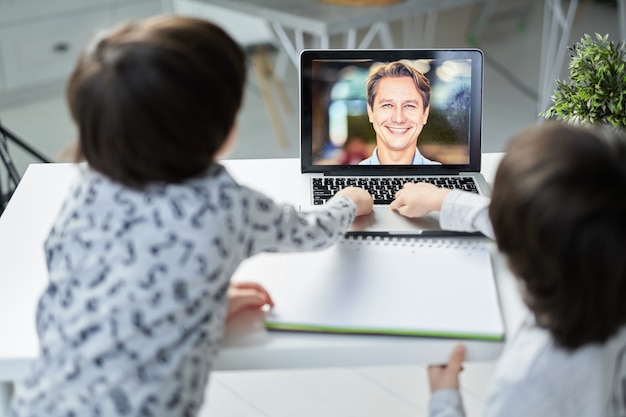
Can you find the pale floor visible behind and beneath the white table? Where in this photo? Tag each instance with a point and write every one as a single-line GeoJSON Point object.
{"type": "Point", "coordinates": [512, 53]}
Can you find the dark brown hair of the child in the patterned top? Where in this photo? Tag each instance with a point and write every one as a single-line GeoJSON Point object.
{"type": "Point", "coordinates": [154, 100]}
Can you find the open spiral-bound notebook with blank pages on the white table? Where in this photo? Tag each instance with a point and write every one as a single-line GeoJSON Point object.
{"type": "Point", "coordinates": [428, 287]}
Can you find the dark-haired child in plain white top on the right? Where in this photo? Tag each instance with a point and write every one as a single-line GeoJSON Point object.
{"type": "Point", "coordinates": [558, 211]}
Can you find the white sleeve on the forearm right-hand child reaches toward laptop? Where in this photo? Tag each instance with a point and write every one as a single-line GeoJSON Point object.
{"type": "Point", "coordinates": [466, 212]}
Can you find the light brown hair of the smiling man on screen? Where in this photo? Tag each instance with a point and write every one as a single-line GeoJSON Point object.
{"type": "Point", "coordinates": [397, 69]}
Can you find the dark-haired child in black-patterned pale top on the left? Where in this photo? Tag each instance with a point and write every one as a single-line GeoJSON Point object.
{"type": "Point", "coordinates": [142, 252]}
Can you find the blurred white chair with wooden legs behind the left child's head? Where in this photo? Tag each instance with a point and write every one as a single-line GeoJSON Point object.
{"type": "Point", "coordinates": [256, 37]}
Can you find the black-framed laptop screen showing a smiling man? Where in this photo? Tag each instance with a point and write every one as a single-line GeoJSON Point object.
{"type": "Point", "coordinates": [385, 111]}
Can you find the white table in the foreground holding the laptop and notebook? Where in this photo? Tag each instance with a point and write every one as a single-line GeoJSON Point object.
{"type": "Point", "coordinates": [248, 345]}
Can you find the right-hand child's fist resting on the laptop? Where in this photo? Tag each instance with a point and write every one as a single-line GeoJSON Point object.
{"type": "Point", "coordinates": [416, 200]}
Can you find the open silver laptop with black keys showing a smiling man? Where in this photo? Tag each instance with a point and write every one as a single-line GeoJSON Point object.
{"type": "Point", "coordinates": [339, 144]}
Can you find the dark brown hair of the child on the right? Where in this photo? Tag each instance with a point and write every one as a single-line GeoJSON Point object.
{"type": "Point", "coordinates": [558, 211]}
